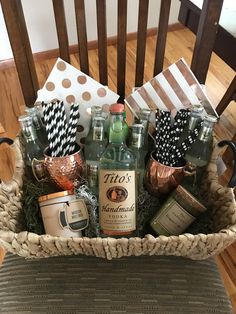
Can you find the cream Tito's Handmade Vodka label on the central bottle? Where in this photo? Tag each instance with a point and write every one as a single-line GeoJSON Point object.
{"type": "Point", "coordinates": [117, 211]}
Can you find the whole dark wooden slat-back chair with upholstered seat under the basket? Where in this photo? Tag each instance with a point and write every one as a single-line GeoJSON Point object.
{"type": "Point", "coordinates": [186, 273]}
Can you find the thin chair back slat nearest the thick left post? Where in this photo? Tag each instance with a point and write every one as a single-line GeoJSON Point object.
{"type": "Point", "coordinates": [60, 19]}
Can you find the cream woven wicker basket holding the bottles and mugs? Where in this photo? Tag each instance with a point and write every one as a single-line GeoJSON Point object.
{"type": "Point", "coordinates": [199, 246]}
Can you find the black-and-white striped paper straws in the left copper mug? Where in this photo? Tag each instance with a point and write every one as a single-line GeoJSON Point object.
{"type": "Point", "coordinates": [61, 135]}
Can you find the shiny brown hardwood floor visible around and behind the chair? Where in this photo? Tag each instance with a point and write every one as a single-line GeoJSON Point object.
{"type": "Point", "coordinates": [179, 44]}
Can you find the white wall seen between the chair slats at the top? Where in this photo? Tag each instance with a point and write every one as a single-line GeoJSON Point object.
{"type": "Point", "coordinates": [41, 26]}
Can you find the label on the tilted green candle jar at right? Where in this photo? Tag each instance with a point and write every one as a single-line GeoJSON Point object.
{"type": "Point", "coordinates": [174, 219]}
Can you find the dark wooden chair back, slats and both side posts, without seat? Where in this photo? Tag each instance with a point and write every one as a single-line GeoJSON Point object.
{"type": "Point", "coordinates": [19, 39]}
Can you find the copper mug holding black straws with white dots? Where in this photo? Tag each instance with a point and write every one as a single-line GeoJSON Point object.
{"type": "Point", "coordinates": [161, 179]}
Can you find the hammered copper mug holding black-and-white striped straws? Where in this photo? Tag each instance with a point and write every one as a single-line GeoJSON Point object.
{"type": "Point", "coordinates": [66, 171]}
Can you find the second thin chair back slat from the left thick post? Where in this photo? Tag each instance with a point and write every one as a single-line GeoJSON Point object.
{"type": "Point", "coordinates": [82, 35]}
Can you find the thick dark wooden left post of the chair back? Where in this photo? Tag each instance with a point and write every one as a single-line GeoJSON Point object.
{"type": "Point", "coordinates": [19, 39]}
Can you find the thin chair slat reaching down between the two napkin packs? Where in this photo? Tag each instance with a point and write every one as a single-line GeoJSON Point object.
{"type": "Point", "coordinates": [121, 47]}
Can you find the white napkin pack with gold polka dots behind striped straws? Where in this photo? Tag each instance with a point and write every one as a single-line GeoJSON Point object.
{"type": "Point", "coordinates": [71, 85]}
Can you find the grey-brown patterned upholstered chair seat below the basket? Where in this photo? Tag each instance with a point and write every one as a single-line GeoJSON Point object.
{"type": "Point", "coordinates": [83, 284]}
